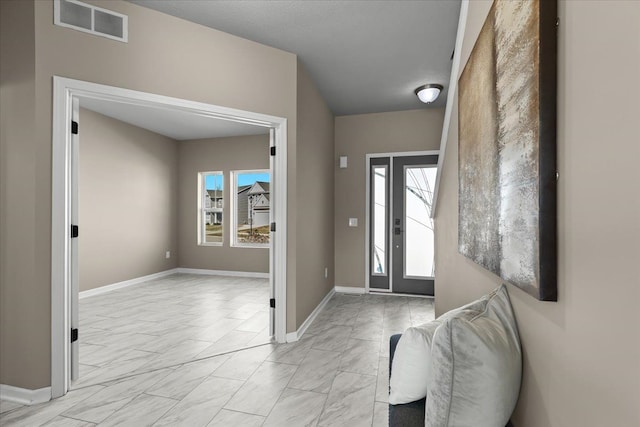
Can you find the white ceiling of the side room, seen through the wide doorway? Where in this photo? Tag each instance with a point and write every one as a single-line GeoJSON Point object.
{"type": "Point", "coordinates": [175, 124]}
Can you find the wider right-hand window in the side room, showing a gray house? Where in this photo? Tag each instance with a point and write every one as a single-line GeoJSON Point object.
{"type": "Point", "coordinates": [250, 223]}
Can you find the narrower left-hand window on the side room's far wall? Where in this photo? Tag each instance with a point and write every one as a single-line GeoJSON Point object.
{"type": "Point", "coordinates": [210, 204]}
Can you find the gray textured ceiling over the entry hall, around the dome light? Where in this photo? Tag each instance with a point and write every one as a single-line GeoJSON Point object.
{"type": "Point", "coordinates": [365, 56]}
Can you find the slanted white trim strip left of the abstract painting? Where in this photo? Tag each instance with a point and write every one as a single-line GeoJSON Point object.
{"type": "Point", "coordinates": [451, 93]}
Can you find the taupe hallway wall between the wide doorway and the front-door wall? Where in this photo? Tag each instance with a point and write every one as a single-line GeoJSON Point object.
{"type": "Point", "coordinates": [314, 198]}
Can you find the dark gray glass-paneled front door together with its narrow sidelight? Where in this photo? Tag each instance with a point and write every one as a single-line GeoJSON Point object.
{"type": "Point", "coordinates": [401, 236]}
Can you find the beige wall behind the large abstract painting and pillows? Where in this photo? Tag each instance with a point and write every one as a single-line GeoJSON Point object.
{"type": "Point", "coordinates": [582, 353]}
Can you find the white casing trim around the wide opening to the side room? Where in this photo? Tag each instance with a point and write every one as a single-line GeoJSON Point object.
{"type": "Point", "coordinates": [62, 263]}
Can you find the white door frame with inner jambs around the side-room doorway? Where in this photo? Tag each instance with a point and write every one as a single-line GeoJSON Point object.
{"type": "Point", "coordinates": [67, 93]}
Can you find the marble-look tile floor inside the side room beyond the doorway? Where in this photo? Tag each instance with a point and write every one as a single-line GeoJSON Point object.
{"type": "Point", "coordinates": [169, 321]}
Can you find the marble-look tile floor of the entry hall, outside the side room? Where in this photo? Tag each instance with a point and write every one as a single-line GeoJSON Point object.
{"type": "Point", "coordinates": [336, 375]}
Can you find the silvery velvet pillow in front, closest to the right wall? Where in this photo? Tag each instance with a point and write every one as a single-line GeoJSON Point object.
{"type": "Point", "coordinates": [476, 368]}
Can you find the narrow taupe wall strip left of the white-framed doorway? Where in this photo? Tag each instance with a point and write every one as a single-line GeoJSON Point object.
{"type": "Point", "coordinates": [19, 180]}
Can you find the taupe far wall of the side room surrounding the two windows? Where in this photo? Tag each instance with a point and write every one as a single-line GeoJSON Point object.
{"type": "Point", "coordinates": [217, 154]}
